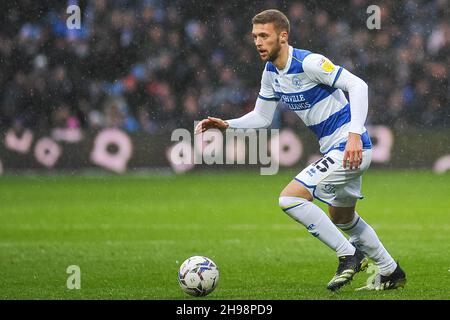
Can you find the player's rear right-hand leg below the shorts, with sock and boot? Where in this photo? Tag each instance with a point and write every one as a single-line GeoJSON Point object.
{"type": "Point", "coordinates": [364, 237]}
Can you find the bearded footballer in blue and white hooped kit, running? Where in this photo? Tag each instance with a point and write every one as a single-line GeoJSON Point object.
{"type": "Point", "coordinates": [312, 87]}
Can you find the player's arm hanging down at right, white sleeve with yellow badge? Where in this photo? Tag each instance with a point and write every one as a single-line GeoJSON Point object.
{"type": "Point", "coordinates": [322, 70]}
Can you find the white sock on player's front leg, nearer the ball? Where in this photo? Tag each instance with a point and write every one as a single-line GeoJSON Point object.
{"type": "Point", "coordinates": [317, 223]}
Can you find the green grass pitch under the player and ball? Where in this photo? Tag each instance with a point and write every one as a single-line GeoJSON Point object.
{"type": "Point", "coordinates": [130, 234]}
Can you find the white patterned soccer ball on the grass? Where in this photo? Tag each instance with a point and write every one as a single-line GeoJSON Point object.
{"type": "Point", "coordinates": [198, 276]}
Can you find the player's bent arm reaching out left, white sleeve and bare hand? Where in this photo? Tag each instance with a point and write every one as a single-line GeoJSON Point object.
{"type": "Point", "coordinates": [260, 117]}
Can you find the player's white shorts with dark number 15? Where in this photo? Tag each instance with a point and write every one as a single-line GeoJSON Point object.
{"type": "Point", "coordinates": [328, 181]}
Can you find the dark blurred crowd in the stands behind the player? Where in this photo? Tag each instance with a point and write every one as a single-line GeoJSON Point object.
{"type": "Point", "coordinates": [153, 65]}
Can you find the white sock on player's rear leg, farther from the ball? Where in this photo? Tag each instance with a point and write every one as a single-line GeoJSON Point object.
{"type": "Point", "coordinates": [365, 239]}
